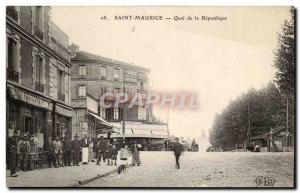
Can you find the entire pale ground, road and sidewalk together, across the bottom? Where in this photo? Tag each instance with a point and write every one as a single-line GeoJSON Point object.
{"type": "Point", "coordinates": [213, 169]}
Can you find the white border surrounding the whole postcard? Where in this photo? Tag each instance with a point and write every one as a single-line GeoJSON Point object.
{"type": "Point", "coordinates": [112, 3]}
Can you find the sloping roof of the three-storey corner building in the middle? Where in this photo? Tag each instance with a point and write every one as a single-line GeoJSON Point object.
{"type": "Point", "coordinates": [86, 56]}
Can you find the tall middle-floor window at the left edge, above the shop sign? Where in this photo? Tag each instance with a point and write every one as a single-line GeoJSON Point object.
{"type": "Point", "coordinates": [12, 55]}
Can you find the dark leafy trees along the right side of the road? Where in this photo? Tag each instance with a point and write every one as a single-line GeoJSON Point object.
{"type": "Point", "coordinates": [257, 111]}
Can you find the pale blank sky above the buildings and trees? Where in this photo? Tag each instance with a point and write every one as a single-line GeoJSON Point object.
{"type": "Point", "coordinates": [218, 60]}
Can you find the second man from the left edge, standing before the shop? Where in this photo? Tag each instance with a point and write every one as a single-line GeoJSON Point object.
{"type": "Point", "coordinates": [24, 150]}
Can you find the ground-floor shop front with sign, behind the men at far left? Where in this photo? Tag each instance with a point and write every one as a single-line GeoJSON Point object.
{"type": "Point", "coordinates": [28, 113]}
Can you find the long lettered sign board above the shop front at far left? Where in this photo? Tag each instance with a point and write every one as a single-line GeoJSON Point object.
{"type": "Point", "coordinates": [29, 98]}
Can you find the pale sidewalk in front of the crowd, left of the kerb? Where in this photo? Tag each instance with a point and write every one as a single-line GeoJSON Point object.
{"type": "Point", "coordinates": [58, 177]}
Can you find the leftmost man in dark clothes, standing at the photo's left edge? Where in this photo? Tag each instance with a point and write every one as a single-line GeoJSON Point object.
{"type": "Point", "coordinates": [13, 152]}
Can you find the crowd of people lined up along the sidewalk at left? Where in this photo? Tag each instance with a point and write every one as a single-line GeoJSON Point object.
{"type": "Point", "coordinates": [24, 154]}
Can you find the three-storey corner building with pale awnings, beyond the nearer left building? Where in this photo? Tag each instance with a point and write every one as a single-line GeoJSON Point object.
{"type": "Point", "coordinates": [92, 77]}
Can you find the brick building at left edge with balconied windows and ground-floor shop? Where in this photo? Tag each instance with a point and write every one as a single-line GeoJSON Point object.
{"type": "Point", "coordinates": [38, 74]}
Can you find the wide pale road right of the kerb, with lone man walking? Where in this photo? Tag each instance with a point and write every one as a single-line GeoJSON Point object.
{"type": "Point", "coordinates": [226, 169]}
